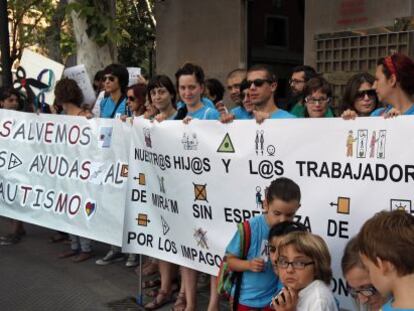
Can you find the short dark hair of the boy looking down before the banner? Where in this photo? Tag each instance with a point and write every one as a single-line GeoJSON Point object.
{"type": "Point", "coordinates": [284, 189]}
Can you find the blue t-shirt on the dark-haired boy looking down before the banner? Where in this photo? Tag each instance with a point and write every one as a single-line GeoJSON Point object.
{"type": "Point", "coordinates": [257, 288]}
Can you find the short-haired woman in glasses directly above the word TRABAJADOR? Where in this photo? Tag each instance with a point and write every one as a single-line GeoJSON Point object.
{"type": "Point", "coordinates": [318, 96]}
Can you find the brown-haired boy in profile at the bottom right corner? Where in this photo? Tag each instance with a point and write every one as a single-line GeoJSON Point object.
{"type": "Point", "coordinates": [386, 246]}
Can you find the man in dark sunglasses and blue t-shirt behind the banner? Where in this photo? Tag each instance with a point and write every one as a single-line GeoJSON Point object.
{"type": "Point", "coordinates": [262, 85]}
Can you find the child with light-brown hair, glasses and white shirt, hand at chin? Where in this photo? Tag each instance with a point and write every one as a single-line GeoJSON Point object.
{"type": "Point", "coordinates": [304, 268]}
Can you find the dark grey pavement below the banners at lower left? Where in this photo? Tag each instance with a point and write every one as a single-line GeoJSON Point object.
{"type": "Point", "coordinates": [32, 278]}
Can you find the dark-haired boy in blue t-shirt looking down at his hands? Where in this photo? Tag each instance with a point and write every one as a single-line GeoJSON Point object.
{"type": "Point", "coordinates": [259, 282]}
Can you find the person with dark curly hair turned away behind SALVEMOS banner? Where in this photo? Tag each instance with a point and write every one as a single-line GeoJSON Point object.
{"type": "Point", "coordinates": [69, 97]}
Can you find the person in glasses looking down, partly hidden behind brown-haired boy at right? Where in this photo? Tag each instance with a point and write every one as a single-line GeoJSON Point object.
{"type": "Point", "coordinates": [360, 288]}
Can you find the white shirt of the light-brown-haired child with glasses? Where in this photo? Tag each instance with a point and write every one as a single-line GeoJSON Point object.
{"type": "Point", "coordinates": [316, 297]}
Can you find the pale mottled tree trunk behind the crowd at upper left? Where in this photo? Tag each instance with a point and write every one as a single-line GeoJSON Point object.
{"type": "Point", "coordinates": [93, 56]}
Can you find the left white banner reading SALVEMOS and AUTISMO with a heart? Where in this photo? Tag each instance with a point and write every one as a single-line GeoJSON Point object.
{"type": "Point", "coordinates": [64, 173]}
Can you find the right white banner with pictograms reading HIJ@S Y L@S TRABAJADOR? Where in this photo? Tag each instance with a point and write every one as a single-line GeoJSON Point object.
{"type": "Point", "coordinates": [190, 184]}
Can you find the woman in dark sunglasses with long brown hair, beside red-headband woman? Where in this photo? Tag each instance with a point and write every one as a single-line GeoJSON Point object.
{"type": "Point", "coordinates": [359, 95]}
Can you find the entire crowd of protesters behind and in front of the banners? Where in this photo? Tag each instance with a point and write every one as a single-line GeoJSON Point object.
{"type": "Point", "coordinates": [377, 264]}
